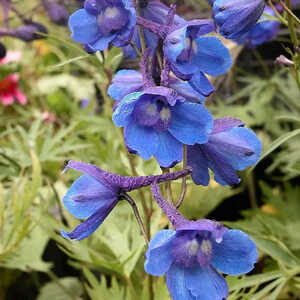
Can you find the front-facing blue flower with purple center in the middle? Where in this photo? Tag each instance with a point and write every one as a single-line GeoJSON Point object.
{"type": "Point", "coordinates": [158, 121]}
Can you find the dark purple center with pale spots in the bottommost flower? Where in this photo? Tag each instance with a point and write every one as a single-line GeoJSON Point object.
{"type": "Point", "coordinates": [191, 248]}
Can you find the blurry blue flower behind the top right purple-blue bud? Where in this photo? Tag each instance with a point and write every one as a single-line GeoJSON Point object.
{"type": "Point", "coordinates": [264, 31]}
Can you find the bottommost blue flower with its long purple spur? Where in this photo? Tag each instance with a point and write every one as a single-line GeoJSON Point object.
{"type": "Point", "coordinates": [193, 253]}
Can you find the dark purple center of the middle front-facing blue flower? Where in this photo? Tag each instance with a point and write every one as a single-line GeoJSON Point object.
{"type": "Point", "coordinates": [152, 111]}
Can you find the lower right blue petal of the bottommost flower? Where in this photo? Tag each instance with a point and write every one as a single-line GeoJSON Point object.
{"type": "Point", "coordinates": [205, 283]}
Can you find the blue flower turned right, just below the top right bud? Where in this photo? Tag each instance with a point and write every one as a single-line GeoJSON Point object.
{"type": "Point", "coordinates": [193, 55]}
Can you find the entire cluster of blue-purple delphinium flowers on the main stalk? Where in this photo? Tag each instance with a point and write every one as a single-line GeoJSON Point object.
{"type": "Point", "coordinates": [162, 110]}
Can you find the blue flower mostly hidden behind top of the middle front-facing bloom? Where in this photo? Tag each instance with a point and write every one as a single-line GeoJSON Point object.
{"type": "Point", "coordinates": [125, 82]}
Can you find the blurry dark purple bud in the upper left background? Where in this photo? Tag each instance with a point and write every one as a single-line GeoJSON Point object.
{"type": "Point", "coordinates": [30, 32]}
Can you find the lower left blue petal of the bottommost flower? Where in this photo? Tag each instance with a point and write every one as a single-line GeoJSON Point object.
{"type": "Point", "coordinates": [176, 283]}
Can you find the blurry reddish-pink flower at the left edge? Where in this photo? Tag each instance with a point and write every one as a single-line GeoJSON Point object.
{"type": "Point", "coordinates": [9, 90]}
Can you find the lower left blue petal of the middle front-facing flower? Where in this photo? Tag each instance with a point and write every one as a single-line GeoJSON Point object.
{"type": "Point", "coordinates": [142, 139]}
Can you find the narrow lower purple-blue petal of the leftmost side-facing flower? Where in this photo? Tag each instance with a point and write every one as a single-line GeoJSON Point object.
{"type": "Point", "coordinates": [87, 227]}
